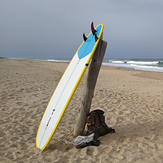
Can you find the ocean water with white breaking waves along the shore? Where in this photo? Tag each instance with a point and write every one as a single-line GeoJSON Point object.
{"type": "Point", "coordinates": [154, 65]}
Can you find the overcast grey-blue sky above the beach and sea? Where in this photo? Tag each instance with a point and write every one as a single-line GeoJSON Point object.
{"type": "Point", "coordinates": [53, 29]}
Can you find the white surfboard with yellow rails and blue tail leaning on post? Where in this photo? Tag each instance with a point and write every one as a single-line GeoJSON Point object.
{"type": "Point", "coordinates": [66, 87]}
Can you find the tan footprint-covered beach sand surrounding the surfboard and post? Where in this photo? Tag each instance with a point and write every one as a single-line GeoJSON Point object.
{"type": "Point", "coordinates": [132, 102]}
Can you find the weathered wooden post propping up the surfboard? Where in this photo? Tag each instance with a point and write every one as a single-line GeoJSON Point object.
{"type": "Point", "coordinates": [88, 92]}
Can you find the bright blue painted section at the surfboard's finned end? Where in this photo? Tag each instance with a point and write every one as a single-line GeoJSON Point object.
{"type": "Point", "coordinates": [85, 49]}
